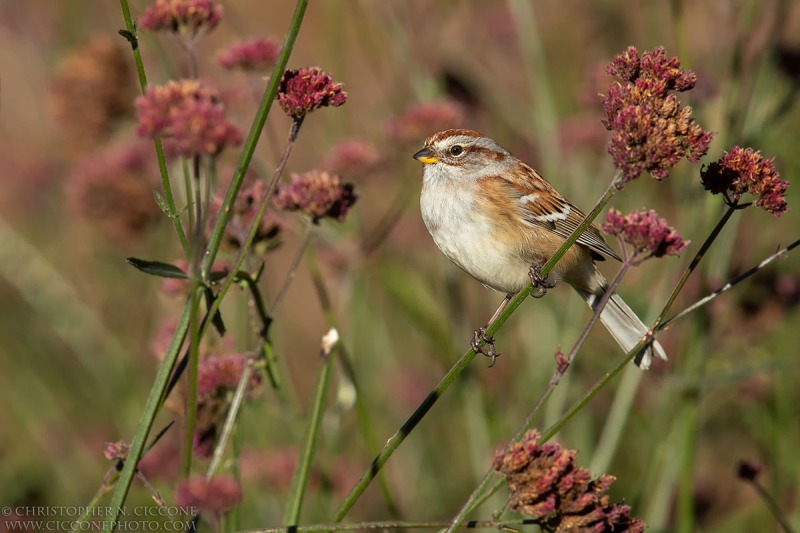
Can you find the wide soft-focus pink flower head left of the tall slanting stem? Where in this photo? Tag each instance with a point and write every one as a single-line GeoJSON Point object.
{"type": "Point", "coordinates": [190, 114]}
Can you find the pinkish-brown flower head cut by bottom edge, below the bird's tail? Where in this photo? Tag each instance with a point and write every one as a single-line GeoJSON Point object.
{"type": "Point", "coordinates": [547, 485]}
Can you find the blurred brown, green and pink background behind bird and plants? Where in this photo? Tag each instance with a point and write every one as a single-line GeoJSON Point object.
{"type": "Point", "coordinates": [80, 331]}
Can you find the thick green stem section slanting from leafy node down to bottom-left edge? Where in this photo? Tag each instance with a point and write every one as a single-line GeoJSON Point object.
{"type": "Point", "coordinates": [146, 421]}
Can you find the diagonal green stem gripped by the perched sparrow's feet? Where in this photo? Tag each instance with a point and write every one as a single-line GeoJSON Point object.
{"type": "Point", "coordinates": [394, 442]}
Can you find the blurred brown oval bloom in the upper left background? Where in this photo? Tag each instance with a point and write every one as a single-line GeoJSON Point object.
{"type": "Point", "coordinates": [91, 91]}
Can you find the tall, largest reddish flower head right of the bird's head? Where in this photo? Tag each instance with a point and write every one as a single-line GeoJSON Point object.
{"type": "Point", "coordinates": [650, 130]}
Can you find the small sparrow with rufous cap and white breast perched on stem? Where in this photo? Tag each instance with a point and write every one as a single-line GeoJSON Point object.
{"type": "Point", "coordinates": [498, 220]}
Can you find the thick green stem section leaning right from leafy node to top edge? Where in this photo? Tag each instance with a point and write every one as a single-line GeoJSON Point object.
{"type": "Point", "coordinates": [215, 240]}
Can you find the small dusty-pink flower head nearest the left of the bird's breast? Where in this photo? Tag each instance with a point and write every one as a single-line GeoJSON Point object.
{"type": "Point", "coordinates": [318, 194]}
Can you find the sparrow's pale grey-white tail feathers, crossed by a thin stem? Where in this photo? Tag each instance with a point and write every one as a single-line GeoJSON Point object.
{"type": "Point", "coordinates": [626, 328]}
